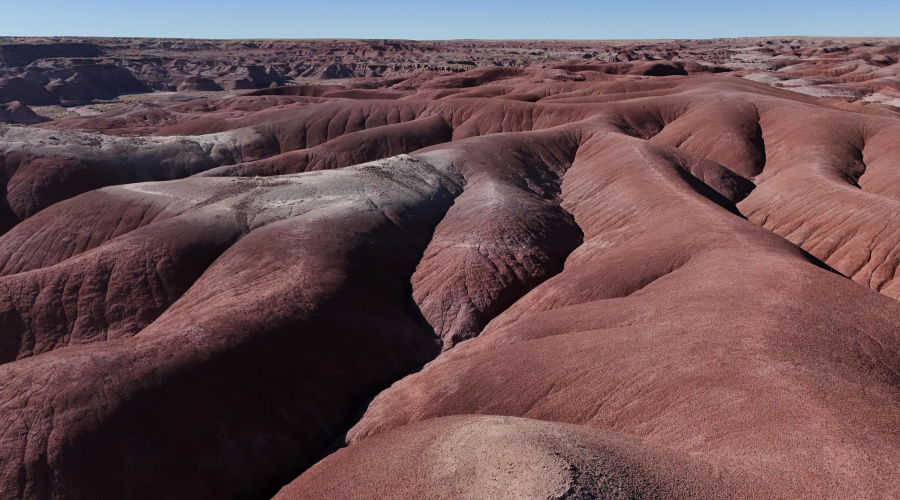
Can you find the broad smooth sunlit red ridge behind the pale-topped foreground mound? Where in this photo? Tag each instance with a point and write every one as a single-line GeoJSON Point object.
{"type": "Point", "coordinates": [641, 334]}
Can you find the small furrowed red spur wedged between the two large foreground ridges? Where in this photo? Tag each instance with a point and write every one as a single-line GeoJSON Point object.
{"type": "Point", "coordinates": [505, 234]}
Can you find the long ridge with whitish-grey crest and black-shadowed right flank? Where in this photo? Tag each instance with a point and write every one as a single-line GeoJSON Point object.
{"type": "Point", "coordinates": [205, 358]}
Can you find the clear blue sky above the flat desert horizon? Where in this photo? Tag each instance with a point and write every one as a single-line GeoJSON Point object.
{"type": "Point", "coordinates": [424, 20]}
